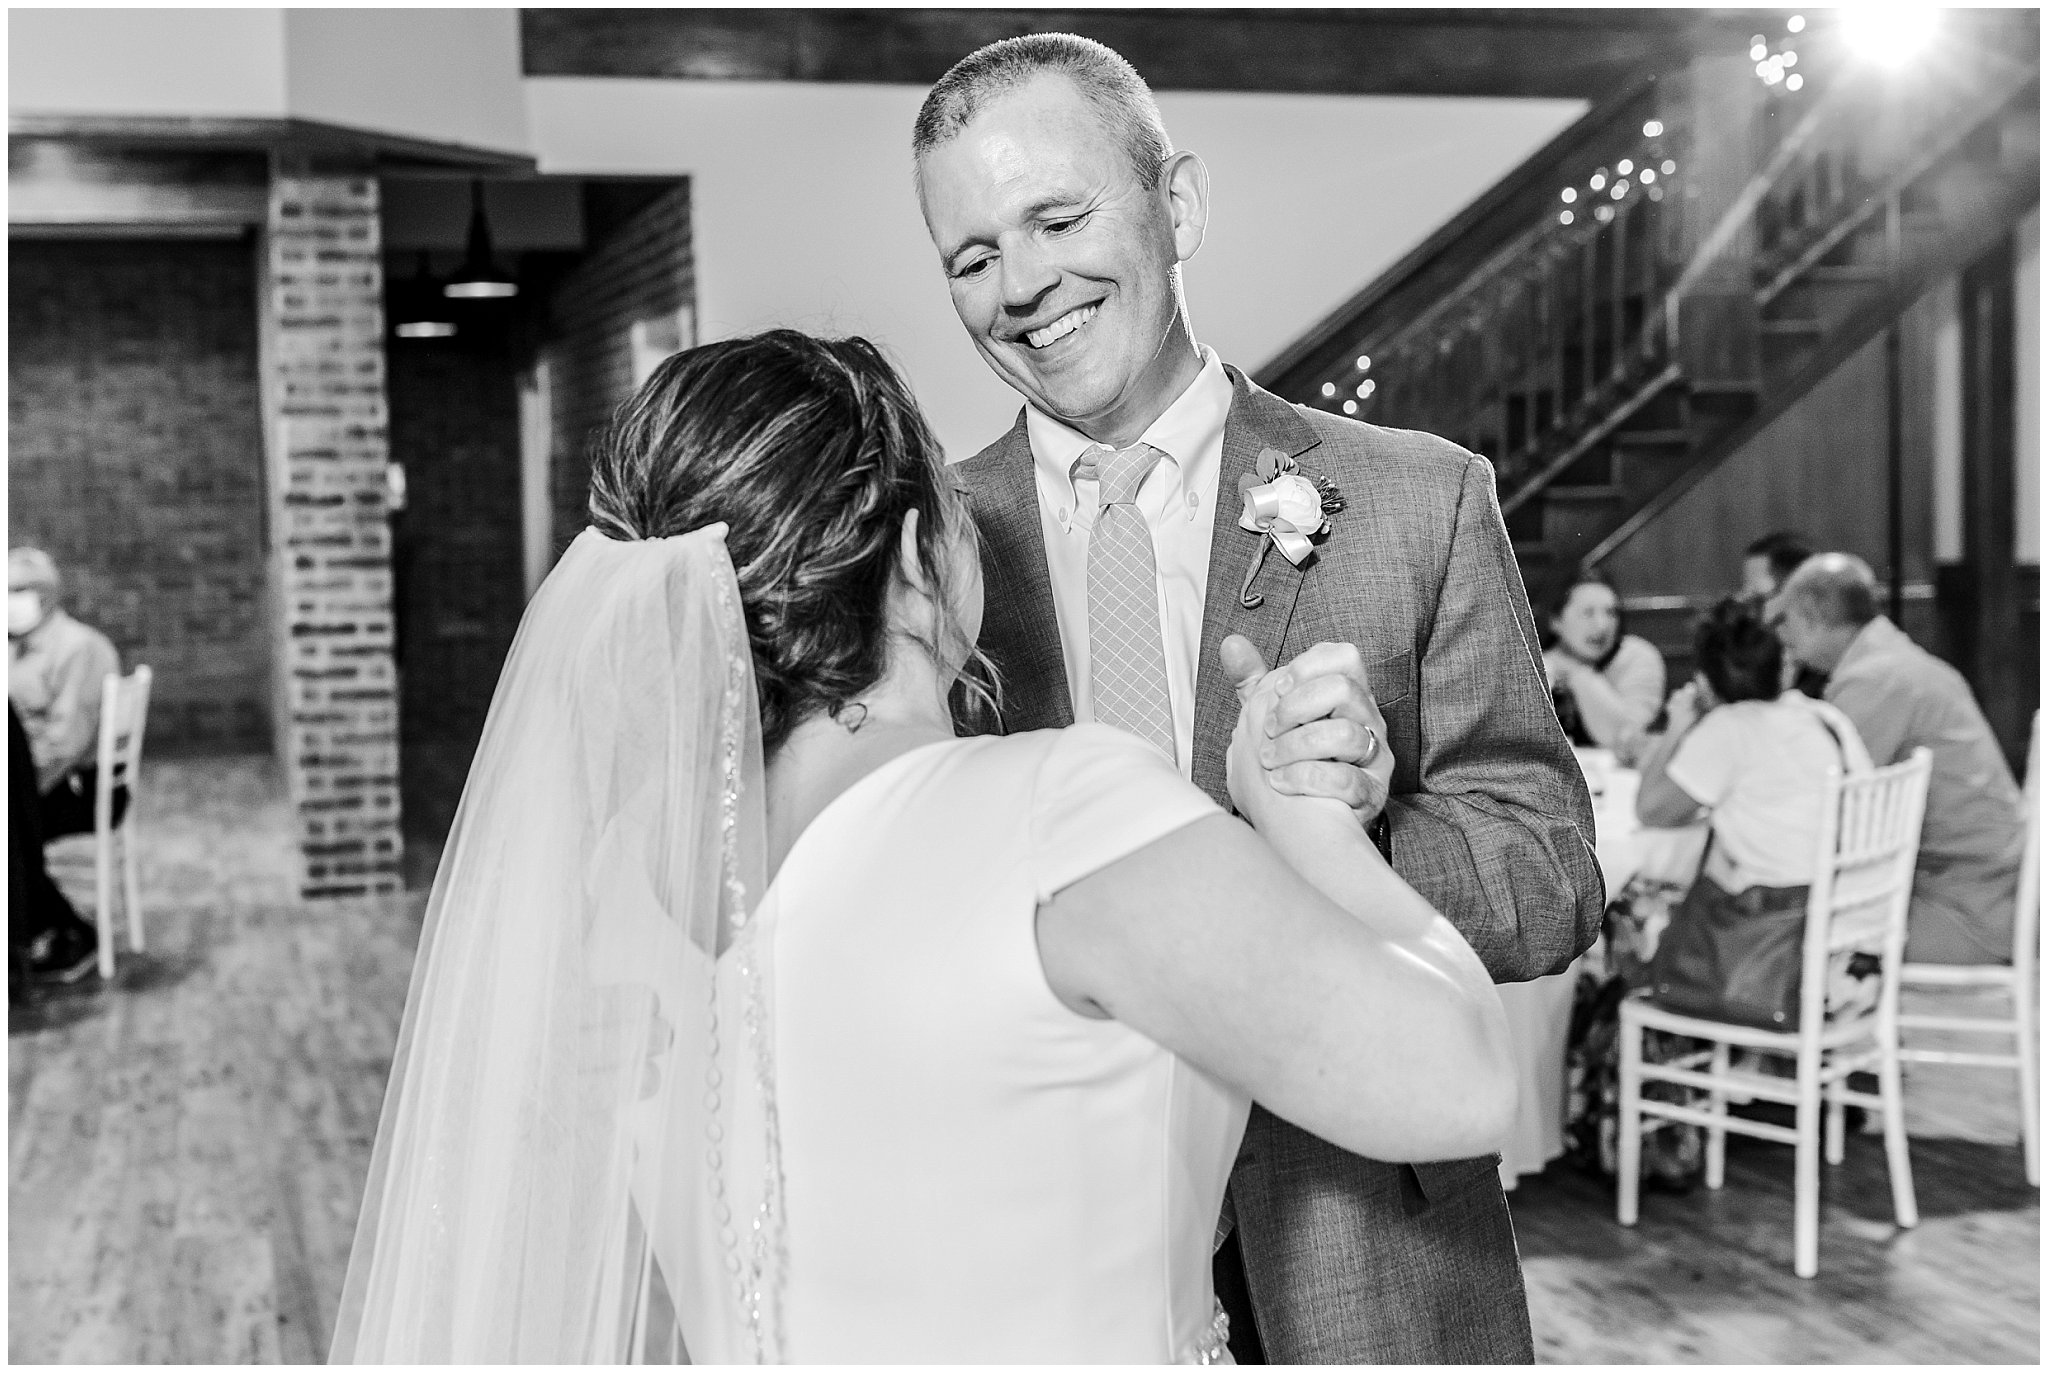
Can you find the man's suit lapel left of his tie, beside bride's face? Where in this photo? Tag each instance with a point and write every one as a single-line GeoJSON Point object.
{"type": "Point", "coordinates": [1019, 630]}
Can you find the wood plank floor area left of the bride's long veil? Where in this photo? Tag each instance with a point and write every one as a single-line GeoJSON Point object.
{"type": "Point", "coordinates": [187, 1149]}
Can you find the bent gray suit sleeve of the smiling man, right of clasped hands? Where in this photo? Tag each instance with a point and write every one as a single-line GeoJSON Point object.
{"type": "Point", "coordinates": [1500, 831]}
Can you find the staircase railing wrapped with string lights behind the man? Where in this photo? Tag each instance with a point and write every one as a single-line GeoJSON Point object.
{"type": "Point", "coordinates": [1568, 329]}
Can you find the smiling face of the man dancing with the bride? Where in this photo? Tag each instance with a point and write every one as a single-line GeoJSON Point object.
{"type": "Point", "coordinates": [1062, 261]}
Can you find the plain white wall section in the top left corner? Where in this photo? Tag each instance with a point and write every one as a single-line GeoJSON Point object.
{"type": "Point", "coordinates": [146, 63]}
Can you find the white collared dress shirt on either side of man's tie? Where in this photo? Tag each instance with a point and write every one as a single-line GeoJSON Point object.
{"type": "Point", "coordinates": [1179, 503]}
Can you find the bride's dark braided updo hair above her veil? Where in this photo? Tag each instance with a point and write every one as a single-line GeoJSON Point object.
{"type": "Point", "coordinates": [812, 450]}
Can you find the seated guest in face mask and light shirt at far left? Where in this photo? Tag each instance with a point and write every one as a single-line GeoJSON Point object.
{"type": "Point", "coordinates": [56, 671]}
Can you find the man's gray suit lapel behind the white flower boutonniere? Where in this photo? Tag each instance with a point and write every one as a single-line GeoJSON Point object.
{"type": "Point", "coordinates": [1258, 421]}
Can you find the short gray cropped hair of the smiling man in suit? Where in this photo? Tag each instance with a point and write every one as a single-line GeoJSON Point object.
{"type": "Point", "coordinates": [1101, 75]}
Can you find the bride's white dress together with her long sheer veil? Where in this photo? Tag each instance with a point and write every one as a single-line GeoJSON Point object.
{"type": "Point", "coordinates": [650, 1106]}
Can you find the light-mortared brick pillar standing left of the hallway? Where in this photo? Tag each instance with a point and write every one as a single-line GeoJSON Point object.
{"type": "Point", "coordinates": [331, 544]}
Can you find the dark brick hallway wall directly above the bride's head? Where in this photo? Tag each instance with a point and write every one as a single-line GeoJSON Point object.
{"type": "Point", "coordinates": [640, 269]}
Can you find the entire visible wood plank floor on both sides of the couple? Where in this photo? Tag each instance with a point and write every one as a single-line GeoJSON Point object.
{"type": "Point", "coordinates": [187, 1153]}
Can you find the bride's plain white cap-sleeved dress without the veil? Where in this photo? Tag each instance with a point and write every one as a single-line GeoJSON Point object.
{"type": "Point", "coordinates": [972, 1171]}
